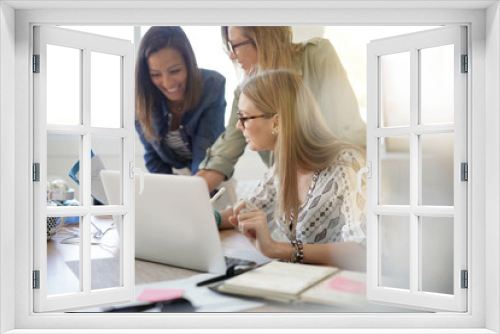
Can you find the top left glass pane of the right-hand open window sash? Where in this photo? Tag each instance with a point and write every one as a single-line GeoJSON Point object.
{"type": "Point", "coordinates": [395, 89]}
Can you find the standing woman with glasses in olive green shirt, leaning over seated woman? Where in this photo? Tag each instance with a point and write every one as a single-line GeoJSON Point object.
{"type": "Point", "coordinates": [257, 49]}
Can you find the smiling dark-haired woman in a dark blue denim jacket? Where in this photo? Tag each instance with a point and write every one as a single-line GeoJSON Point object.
{"type": "Point", "coordinates": [179, 107]}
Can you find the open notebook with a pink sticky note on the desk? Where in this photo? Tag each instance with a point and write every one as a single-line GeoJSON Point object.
{"type": "Point", "coordinates": [291, 282]}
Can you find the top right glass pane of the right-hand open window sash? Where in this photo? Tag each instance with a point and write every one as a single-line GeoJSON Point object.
{"type": "Point", "coordinates": [437, 85]}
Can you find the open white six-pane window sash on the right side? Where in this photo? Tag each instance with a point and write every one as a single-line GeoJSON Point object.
{"type": "Point", "coordinates": [412, 44]}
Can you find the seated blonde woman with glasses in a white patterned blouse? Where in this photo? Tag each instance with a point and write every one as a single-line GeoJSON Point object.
{"type": "Point", "coordinates": [308, 207]}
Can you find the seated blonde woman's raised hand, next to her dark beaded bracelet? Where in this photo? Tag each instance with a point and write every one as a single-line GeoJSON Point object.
{"type": "Point", "coordinates": [253, 225]}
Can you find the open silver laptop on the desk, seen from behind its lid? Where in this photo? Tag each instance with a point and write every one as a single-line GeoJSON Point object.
{"type": "Point", "coordinates": [174, 221]}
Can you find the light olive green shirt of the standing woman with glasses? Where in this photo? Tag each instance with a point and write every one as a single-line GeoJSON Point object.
{"type": "Point", "coordinates": [322, 71]}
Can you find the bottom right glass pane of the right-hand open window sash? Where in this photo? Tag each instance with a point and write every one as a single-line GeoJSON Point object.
{"type": "Point", "coordinates": [437, 254]}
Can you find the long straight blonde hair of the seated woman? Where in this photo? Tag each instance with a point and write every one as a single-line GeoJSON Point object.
{"type": "Point", "coordinates": [304, 141]}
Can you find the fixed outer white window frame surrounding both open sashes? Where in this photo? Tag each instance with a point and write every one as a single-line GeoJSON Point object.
{"type": "Point", "coordinates": [484, 212]}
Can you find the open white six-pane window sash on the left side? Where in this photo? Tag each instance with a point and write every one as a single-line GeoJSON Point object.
{"type": "Point", "coordinates": [86, 43]}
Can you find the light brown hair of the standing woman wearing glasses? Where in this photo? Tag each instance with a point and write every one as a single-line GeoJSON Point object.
{"type": "Point", "coordinates": [274, 45]}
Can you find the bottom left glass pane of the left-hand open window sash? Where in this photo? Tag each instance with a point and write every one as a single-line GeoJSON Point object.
{"type": "Point", "coordinates": [63, 255]}
